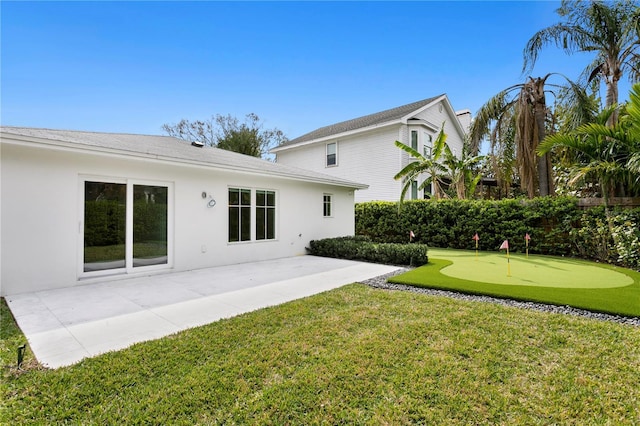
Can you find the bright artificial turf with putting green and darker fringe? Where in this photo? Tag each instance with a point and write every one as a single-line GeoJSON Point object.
{"type": "Point", "coordinates": [590, 291]}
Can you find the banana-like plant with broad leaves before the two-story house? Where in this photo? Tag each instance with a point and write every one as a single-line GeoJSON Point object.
{"type": "Point", "coordinates": [430, 166]}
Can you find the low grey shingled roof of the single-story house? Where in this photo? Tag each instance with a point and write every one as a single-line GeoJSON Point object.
{"type": "Point", "coordinates": [163, 148]}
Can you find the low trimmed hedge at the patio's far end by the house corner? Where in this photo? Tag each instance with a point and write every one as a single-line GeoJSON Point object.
{"type": "Point", "coordinates": [362, 248]}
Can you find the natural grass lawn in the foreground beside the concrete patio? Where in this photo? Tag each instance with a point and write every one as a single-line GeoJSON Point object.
{"type": "Point", "coordinates": [355, 355]}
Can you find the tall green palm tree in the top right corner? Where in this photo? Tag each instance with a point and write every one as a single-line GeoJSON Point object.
{"type": "Point", "coordinates": [612, 30]}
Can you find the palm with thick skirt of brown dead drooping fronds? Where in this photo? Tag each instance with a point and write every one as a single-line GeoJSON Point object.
{"type": "Point", "coordinates": [522, 110]}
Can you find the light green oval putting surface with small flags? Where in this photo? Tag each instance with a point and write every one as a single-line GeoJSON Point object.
{"type": "Point", "coordinates": [541, 271]}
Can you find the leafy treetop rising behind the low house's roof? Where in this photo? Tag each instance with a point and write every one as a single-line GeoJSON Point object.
{"type": "Point", "coordinates": [227, 132]}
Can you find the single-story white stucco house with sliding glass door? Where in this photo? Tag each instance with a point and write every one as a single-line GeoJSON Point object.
{"type": "Point", "coordinates": [82, 207]}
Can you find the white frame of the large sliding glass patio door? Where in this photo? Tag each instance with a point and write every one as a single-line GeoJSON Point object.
{"type": "Point", "coordinates": [129, 268]}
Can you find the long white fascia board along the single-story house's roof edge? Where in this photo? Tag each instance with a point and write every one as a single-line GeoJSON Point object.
{"type": "Point", "coordinates": [121, 154]}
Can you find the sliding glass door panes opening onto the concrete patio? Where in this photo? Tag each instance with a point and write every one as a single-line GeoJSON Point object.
{"type": "Point", "coordinates": [119, 236]}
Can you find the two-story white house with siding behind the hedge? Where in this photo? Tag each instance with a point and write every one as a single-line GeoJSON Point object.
{"type": "Point", "coordinates": [363, 150]}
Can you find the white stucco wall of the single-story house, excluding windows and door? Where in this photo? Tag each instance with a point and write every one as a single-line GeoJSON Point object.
{"type": "Point", "coordinates": [41, 214]}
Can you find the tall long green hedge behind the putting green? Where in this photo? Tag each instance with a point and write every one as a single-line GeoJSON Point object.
{"type": "Point", "coordinates": [554, 224]}
